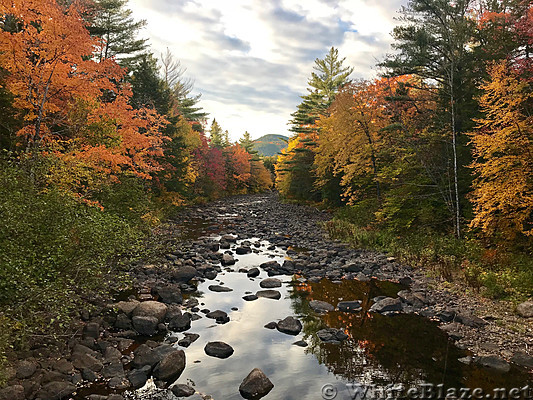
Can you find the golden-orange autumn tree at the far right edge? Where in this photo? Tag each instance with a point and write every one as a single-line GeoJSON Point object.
{"type": "Point", "coordinates": [503, 150]}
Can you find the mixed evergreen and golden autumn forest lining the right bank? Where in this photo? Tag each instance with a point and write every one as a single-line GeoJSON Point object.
{"type": "Point", "coordinates": [432, 160]}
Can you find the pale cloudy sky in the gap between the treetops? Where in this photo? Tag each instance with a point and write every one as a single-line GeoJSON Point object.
{"type": "Point", "coordinates": [251, 59]}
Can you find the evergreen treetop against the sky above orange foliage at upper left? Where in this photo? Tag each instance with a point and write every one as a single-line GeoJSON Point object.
{"type": "Point", "coordinates": [113, 23]}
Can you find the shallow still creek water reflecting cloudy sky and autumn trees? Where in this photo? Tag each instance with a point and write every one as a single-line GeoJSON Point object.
{"type": "Point", "coordinates": [381, 350]}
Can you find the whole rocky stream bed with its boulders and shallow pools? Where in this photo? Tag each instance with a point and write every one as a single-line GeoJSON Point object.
{"type": "Point", "coordinates": [254, 301]}
